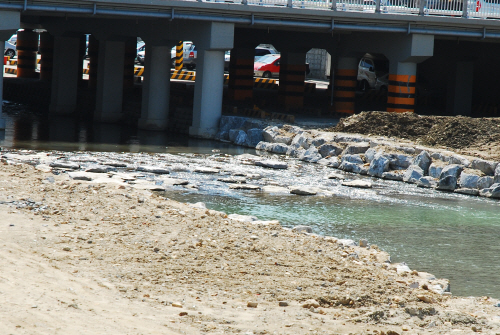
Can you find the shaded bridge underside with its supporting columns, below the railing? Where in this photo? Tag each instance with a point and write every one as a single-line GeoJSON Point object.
{"type": "Point", "coordinates": [455, 72]}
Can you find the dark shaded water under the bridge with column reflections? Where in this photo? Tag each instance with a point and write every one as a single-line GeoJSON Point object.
{"type": "Point", "coordinates": [72, 134]}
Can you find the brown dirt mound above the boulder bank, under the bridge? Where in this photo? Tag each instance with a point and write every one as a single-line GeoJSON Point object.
{"type": "Point", "coordinates": [473, 136]}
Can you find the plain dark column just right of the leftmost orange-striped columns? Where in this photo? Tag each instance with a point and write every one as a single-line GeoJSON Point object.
{"type": "Point", "coordinates": [65, 75]}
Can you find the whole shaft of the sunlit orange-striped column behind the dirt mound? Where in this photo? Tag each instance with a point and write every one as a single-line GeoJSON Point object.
{"type": "Point", "coordinates": [402, 83]}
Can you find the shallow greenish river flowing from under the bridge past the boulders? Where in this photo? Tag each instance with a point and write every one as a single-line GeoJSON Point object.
{"type": "Point", "coordinates": [450, 235]}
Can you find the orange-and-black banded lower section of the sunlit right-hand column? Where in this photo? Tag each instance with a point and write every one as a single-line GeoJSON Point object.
{"type": "Point", "coordinates": [401, 93]}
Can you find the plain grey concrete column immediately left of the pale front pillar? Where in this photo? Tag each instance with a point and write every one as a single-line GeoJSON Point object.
{"type": "Point", "coordinates": [156, 88]}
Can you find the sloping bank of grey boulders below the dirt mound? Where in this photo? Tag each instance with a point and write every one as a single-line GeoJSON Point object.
{"type": "Point", "coordinates": [374, 156]}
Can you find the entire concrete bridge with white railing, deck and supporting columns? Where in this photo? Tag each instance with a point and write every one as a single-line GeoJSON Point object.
{"type": "Point", "coordinates": [457, 40]}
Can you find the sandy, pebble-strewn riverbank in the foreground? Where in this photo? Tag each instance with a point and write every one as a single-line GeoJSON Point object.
{"type": "Point", "coordinates": [93, 258]}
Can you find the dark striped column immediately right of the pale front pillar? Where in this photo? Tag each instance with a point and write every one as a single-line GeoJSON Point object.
{"type": "Point", "coordinates": [241, 80]}
